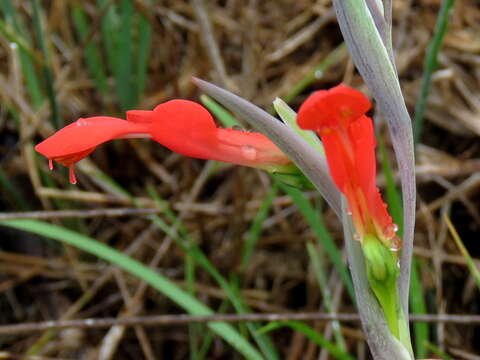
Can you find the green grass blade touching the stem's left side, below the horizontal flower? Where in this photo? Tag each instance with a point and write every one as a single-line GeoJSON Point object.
{"type": "Point", "coordinates": [314, 219]}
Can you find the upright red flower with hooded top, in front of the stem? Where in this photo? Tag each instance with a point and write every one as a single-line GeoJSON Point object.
{"type": "Point", "coordinates": [338, 116]}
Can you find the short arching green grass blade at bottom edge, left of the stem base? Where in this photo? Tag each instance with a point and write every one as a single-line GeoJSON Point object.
{"type": "Point", "coordinates": [311, 334]}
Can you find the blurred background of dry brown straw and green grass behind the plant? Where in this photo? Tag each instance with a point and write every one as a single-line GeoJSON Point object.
{"type": "Point", "coordinates": [266, 244]}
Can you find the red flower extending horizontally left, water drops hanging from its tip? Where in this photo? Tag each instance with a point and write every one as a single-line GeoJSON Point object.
{"type": "Point", "coordinates": [182, 126]}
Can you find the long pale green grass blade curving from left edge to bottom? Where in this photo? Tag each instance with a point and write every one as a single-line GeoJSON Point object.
{"type": "Point", "coordinates": [153, 278]}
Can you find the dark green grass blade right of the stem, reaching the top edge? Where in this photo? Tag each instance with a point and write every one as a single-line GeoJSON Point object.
{"type": "Point", "coordinates": [430, 65]}
